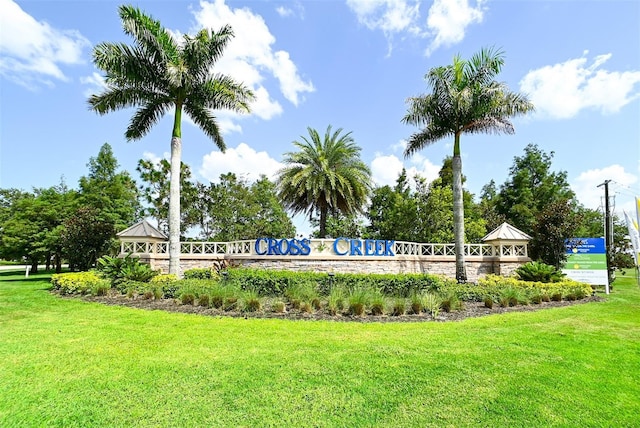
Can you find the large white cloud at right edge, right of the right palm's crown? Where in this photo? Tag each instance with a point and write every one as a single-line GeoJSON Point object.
{"type": "Point", "coordinates": [561, 91]}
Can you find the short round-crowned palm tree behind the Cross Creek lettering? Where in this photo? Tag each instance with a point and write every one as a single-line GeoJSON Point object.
{"type": "Point", "coordinates": [326, 175]}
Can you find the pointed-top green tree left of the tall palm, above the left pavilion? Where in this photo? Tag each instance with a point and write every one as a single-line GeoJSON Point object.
{"type": "Point", "coordinates": [112, 194]}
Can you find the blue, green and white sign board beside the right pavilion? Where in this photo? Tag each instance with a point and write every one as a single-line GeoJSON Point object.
{"type": "Point", "coordinates": [586, 261]}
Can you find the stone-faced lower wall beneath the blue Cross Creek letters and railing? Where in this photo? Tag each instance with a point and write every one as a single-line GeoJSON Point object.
{"type": "Point", "coordinates": [475, 268]}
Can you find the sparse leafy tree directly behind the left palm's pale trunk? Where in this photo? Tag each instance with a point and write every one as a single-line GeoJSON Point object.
{"type": "Point", "coordinates": [155, 192]}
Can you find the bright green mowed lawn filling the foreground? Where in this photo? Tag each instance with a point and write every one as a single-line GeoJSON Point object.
{"type": "Point", "coordinates": [65, 362]}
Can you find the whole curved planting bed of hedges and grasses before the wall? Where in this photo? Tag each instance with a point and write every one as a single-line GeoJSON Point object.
{"type": "Point", "coordinates": [252, 290]}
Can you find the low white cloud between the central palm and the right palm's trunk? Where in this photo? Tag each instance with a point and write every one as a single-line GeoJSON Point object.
{"type": "Point", "coordinates": [385, 169]}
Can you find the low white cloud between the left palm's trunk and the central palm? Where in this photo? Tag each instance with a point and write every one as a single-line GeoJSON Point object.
{"type": "Point", "coordinates": [244, 161]}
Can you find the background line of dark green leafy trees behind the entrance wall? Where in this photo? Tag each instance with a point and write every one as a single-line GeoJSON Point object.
{"type": "Point", "coordinates": [56, 224]}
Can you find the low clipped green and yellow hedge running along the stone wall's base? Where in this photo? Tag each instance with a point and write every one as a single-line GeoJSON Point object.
{"type": "Point", "coordinates": [276, 283]}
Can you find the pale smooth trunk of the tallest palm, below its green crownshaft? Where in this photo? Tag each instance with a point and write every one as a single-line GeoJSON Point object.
{"type": "Point", "coordinates": [174, 206]}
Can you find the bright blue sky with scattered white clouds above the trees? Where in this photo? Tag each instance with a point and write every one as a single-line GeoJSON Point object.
{"type": "Point", "coordinates": [347, 64]}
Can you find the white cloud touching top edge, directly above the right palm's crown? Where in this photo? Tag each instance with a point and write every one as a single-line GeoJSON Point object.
{"type": "Point", "coordinates": [448, 20]}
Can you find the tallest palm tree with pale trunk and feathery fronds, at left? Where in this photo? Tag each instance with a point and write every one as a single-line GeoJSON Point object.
{"type": "Point", "coordinates": [159, 73]}
